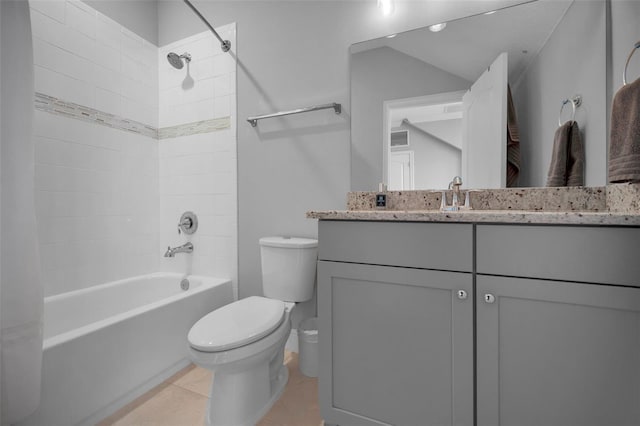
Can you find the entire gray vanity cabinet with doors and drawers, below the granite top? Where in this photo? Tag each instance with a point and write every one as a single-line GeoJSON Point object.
{"type": "Point", "coordinates": [487, 325]}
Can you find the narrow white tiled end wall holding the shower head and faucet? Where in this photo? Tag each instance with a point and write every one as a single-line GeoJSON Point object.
{"type": "Point", "coordinates": [198, 170]}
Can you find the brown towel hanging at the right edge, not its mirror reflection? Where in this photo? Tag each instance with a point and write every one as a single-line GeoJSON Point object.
{"type": "Point", "coordinates": [624, 146]}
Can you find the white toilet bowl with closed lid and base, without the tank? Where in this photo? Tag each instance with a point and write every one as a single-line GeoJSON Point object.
{"type": "Point", "coordinates": [249, 371]}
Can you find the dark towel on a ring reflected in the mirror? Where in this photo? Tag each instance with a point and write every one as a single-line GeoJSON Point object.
{"type": "Point", "coordinates": [567, 159]}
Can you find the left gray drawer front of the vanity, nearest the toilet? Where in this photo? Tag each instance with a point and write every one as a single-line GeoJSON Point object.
{"type": "Point", "coordinates": [444, 246]}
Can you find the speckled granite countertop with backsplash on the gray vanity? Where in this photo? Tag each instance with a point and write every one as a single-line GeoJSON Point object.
{"type": "Point", "coordinates": [613, 205]}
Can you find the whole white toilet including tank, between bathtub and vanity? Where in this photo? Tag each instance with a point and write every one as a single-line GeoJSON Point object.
{"type": "Point", "coordinates": [243, 342]}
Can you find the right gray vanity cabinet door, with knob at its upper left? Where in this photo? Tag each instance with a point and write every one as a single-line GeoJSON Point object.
{"type": "Point", "coordinates": [557, 353]}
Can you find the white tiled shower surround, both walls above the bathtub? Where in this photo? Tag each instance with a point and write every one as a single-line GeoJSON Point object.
{"type": "Point", "coordinates": [103, 208]}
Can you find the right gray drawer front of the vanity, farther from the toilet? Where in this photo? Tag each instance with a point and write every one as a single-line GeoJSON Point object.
{"type": "Point", "coordinates": [588, 254]}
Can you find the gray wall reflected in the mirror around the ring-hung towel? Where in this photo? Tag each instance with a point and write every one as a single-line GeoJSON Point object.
{"type": "Point", "coordinates": [547, 82]}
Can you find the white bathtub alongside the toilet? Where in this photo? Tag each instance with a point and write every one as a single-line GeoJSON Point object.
{"type": "Point", "coordinates": [106, 345]}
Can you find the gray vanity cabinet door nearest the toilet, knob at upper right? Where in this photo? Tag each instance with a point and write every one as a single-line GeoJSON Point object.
{"type": "Point", "coordinates": [396, 345]}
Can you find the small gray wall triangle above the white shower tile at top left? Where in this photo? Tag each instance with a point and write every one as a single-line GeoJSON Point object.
{"type": "Point", "coordinates": [139, 16]}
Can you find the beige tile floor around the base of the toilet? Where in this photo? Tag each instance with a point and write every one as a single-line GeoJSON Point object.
{"type": "Point", "coordinates": [182, 401]}
